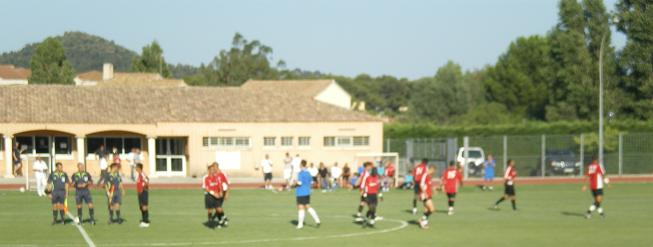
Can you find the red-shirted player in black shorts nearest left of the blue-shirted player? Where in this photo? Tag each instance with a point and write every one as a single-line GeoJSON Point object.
{"type": "Point", "coordinates": [212, 191]}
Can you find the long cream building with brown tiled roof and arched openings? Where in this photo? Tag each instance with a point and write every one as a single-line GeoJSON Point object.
{"type": "Point", "coordinates": [180, 129]}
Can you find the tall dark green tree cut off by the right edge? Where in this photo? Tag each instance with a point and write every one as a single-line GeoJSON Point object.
{"type": "Point", "coordinates": [635, 19]}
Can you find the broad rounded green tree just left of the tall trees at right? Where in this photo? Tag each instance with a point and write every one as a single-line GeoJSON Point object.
{"type": "Point", "coordinates": [521, 76]}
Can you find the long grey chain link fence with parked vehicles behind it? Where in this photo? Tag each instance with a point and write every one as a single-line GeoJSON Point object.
{"type": "Point", "coordinates": [534, 155]}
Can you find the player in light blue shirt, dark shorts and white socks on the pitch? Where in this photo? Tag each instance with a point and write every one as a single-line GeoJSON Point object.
{"type": "Point", "coordinates": [303, 193]}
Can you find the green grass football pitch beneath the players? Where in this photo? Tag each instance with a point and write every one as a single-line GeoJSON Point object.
{"type": "Point", "coordinates": [549, 215]}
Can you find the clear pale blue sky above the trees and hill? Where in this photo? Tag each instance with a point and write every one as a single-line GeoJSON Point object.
{"type": "Point", "coordinates": [401, 38]}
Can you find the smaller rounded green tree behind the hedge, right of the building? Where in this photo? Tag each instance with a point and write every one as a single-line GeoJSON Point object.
{"type": "Point", "coordinates": [441, 97]}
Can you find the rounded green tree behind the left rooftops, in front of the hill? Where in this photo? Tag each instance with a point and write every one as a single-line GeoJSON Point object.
{"type": "Point", "coordinates": [49, 64]}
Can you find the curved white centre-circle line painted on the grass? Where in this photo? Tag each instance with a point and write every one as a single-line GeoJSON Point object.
{"type": "Point", "coordinates": [402, 225]}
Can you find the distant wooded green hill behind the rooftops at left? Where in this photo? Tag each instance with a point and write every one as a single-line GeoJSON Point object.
{"type": "Point", "coordinates": [84, 51]}
